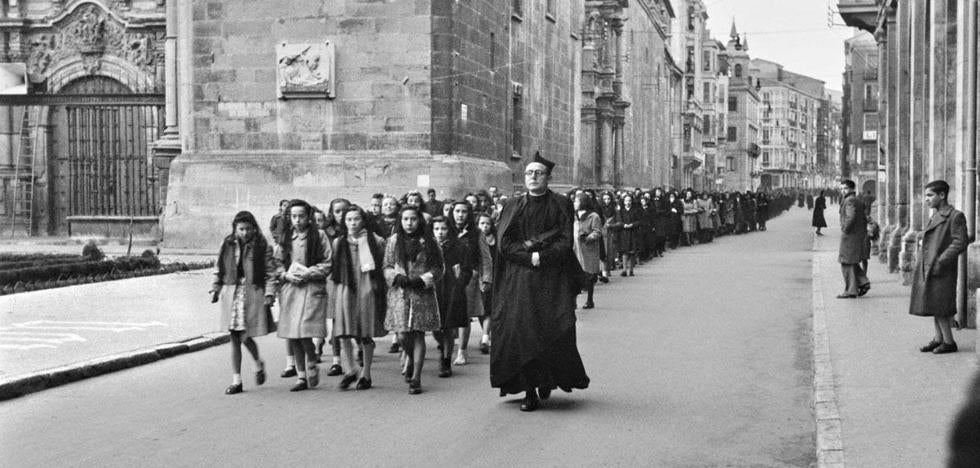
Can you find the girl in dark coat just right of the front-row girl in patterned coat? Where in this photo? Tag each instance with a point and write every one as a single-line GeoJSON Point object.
{"type": "Point", "coordinates": [451, 289]}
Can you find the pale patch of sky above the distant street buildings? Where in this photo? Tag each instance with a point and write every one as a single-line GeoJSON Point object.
{"type": "Point", "coordinates": [793, 33]}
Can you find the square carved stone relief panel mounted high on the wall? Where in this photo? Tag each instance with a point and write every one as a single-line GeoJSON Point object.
{"type": "Point", "coordinates": [305, 70]}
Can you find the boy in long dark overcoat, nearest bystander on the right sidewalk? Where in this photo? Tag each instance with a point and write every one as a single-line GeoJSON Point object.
{"type": "Point", "coordinates": [935, 272]}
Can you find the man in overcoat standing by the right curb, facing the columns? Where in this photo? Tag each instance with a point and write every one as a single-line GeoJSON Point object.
{"type": "Point", "coordinates": [853, 243]}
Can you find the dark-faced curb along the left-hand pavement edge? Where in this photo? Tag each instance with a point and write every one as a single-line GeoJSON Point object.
{"type": "Point", "coordinates": [48, 378]}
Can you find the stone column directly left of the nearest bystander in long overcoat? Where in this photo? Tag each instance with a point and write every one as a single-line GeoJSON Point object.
{"type": "Point", "coordinates": [916, 131]}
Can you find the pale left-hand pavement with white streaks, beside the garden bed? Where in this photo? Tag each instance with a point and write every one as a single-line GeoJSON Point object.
{"type": "Point", "coordinates": [58, 335]}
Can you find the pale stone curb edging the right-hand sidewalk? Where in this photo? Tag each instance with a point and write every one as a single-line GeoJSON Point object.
{"type": "Point", "coordinates": [830, 442]}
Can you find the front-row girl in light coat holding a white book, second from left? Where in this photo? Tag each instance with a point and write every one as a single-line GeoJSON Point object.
{"type": "Point", "coordinates": [304, 259]}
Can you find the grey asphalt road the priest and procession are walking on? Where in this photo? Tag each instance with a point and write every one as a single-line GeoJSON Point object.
{"type": "Point", "coordinates": [702, 359]}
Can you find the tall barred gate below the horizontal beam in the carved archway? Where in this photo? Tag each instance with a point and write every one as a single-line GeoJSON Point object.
{"type": "Point", "coordinates": [109, 165]}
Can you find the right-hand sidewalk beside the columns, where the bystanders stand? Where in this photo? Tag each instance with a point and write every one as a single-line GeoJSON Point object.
{"type": "Point", "coordinates": [895, 404]}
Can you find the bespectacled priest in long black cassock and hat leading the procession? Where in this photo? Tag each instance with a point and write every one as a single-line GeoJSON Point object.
{"type": "Point", "coordinates": [535, 284]}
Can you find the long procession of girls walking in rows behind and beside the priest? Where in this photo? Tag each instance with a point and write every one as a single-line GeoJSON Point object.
{"type": "Point", "coordinates": [410, 265]}
